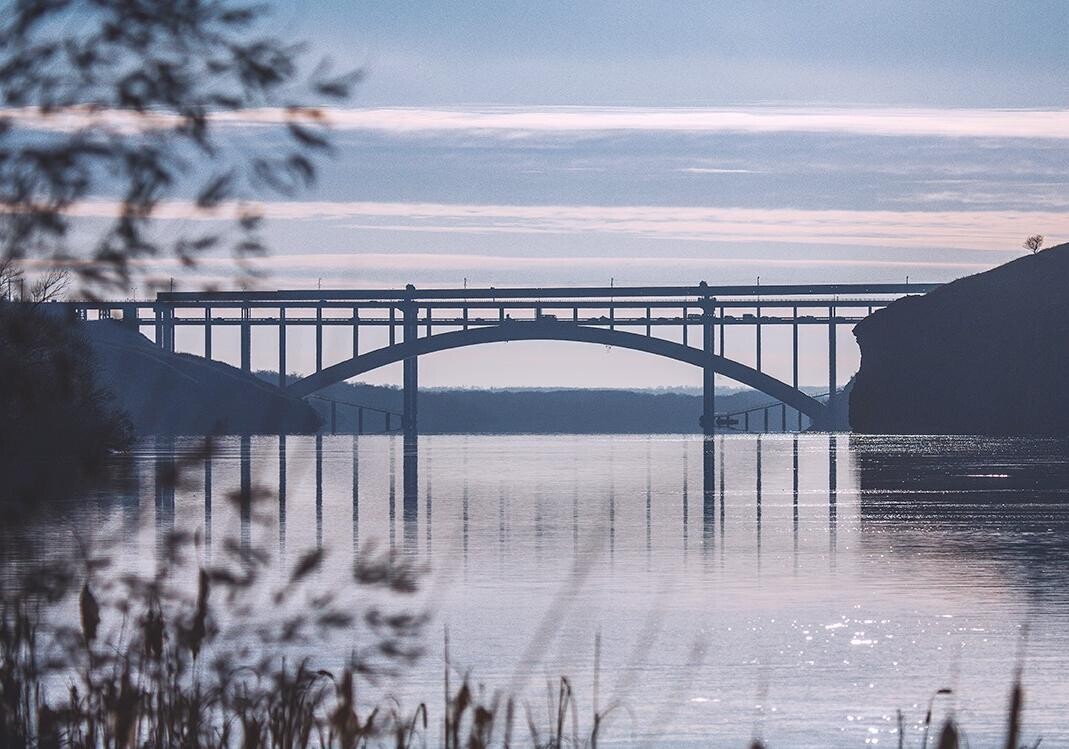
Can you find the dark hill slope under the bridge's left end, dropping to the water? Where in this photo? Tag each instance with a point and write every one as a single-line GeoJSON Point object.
{"type": "Point", "coordinates": [178, 394]}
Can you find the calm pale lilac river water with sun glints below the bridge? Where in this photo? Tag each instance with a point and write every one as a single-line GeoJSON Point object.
{"type": "Point", "coordinates": [799, 588]}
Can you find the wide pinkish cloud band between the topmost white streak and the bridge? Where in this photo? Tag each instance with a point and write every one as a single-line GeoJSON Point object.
{"type": "Point", "coordinates": [1000, 231]}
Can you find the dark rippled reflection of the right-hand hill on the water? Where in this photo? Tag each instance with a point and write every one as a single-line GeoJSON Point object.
{"type": "Point", "coordinates": [1001, 501]}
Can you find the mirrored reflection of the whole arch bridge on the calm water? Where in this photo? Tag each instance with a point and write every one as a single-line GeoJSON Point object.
{"type": "Point", "coordinates": [632, 494]}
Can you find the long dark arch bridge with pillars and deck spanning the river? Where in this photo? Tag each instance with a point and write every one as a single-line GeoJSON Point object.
{"type": "Point", "coordinates": [686, 324]}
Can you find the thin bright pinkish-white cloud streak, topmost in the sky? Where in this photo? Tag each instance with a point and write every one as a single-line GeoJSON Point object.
{"type": "Point", "coordinates": [1050, 124]}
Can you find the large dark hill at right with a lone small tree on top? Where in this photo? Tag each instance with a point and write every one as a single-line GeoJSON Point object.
{"type": "Point", "coordinates": [988, 354]}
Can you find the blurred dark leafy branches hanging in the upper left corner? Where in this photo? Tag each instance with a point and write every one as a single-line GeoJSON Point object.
{"type": "Point", "coordinates": [117, 110]}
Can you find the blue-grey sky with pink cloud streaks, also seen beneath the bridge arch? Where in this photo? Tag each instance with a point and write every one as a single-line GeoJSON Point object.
{"type": "Point", "coordinates": [518, 144]}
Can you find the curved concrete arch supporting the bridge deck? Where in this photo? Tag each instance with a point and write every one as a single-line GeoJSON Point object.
{"type": "Point", "coordinates": [523, 331]}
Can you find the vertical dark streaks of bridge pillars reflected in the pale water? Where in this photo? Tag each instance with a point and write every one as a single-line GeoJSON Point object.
{"type": "Point", "coordinates": [415, 477]}
